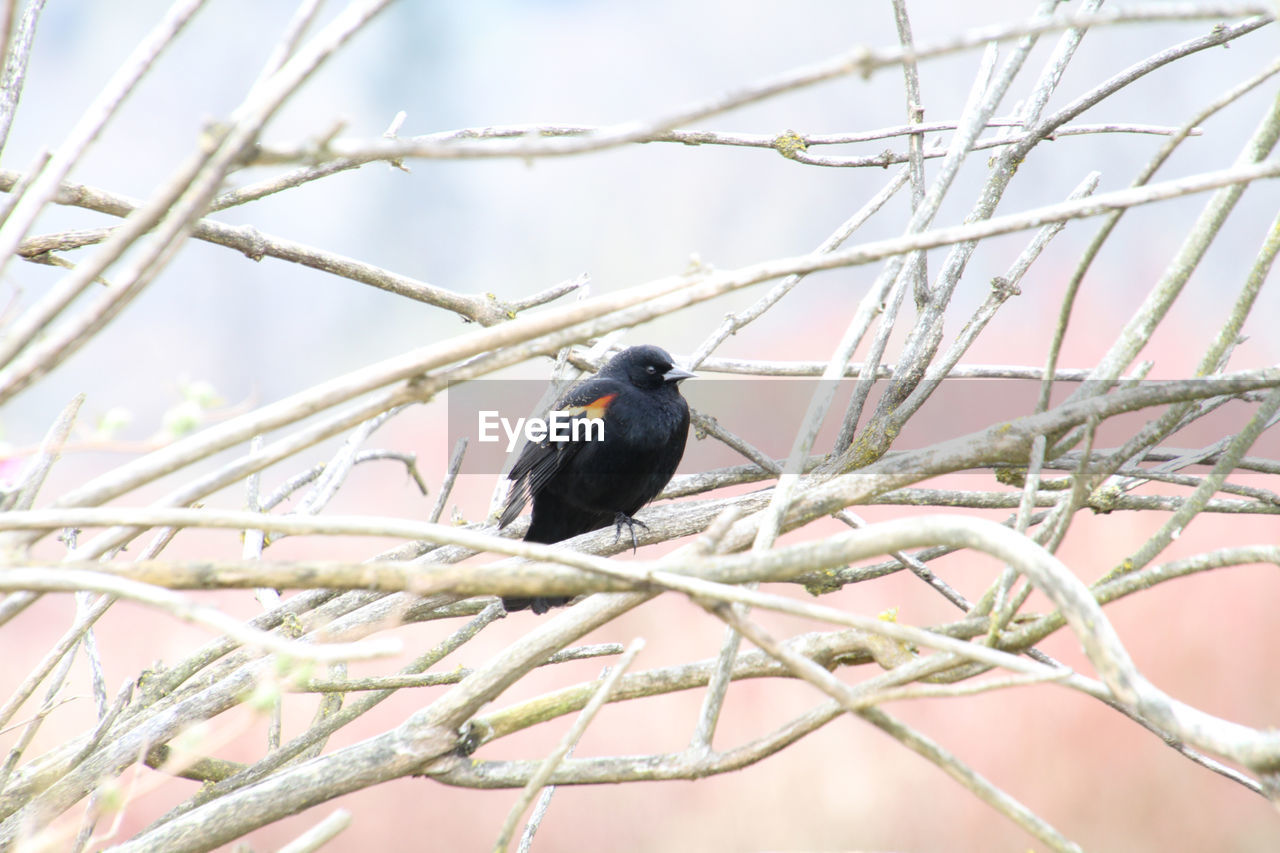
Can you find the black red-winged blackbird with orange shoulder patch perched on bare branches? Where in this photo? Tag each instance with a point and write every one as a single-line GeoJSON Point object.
{"type": "Point", "coordinates": [582, 486]}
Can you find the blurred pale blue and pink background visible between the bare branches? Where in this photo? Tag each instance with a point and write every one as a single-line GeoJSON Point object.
{"type": "Point", "coordinates": [235, 334]}
